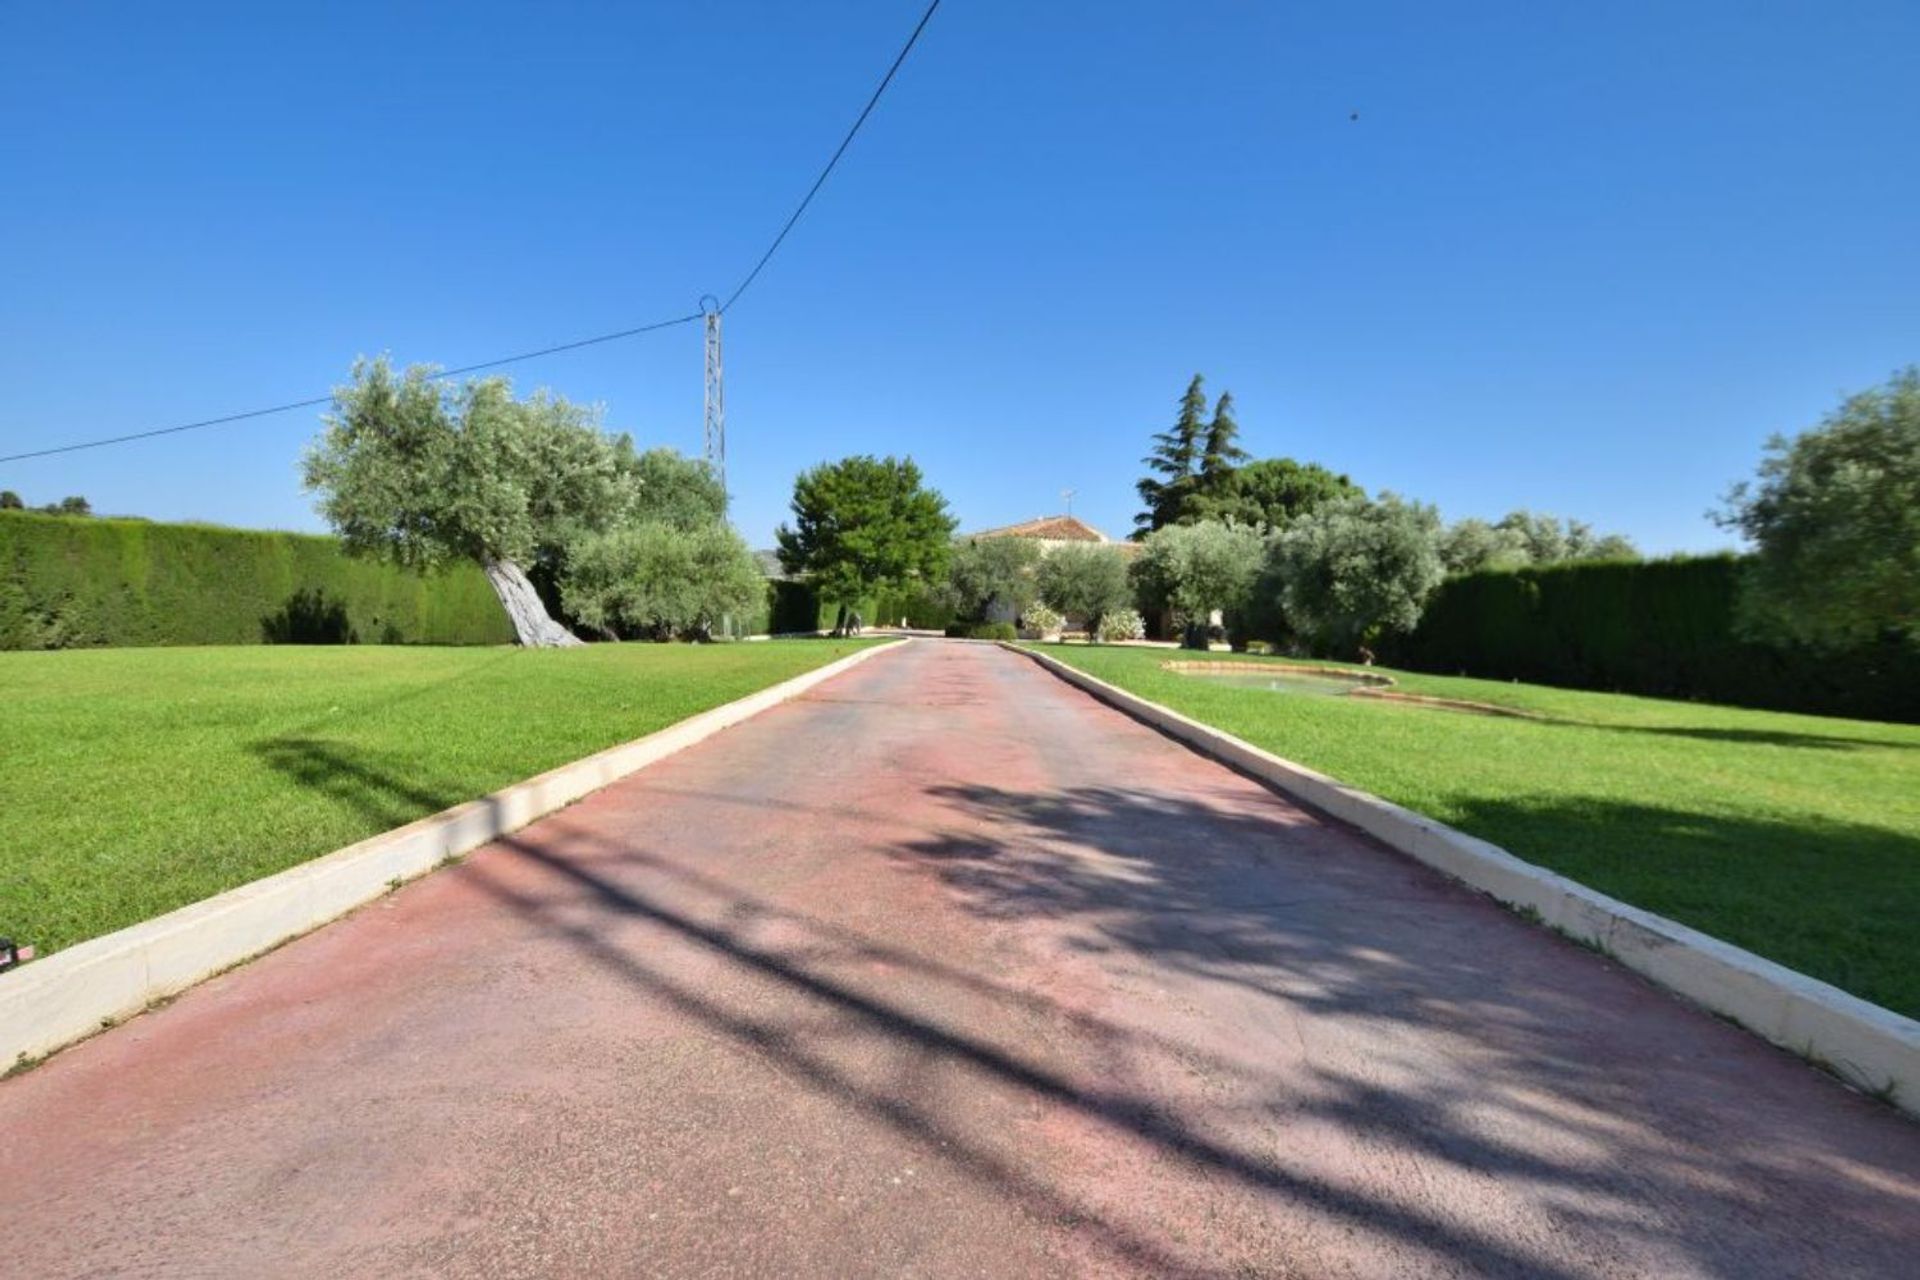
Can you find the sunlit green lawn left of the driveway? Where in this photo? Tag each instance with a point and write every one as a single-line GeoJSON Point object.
{"type": "Point", "coordinates": [139, 780]}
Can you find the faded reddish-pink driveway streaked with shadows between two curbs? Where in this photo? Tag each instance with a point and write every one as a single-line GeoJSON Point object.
{"type": "Point", "coordinates": [942, 970]}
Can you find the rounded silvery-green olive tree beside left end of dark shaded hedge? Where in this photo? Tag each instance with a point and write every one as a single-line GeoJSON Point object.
{"type": "Point", "coordinates": [1358, 569]}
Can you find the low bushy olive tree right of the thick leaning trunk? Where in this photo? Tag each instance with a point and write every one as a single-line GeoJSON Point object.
{"type": "Point", "coordinates": [661, 579]}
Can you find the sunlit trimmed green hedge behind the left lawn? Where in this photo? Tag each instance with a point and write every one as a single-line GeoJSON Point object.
{"type": "Point", "coordinates": [74, 582]}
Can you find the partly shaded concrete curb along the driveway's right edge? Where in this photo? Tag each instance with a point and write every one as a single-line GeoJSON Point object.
{"type": "Point", "coordinates": [1863, 1043]}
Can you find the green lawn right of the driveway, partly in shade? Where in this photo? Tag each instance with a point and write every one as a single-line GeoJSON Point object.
{"type": "Point", "coordinates": [1796, 838]}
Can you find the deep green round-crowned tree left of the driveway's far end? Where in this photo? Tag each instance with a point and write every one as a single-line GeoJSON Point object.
{"type": "Point", "coordinates": [861, 525]}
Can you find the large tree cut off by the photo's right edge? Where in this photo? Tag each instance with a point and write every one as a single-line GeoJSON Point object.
{"type": "Point", "coordinates": [1835, 521]}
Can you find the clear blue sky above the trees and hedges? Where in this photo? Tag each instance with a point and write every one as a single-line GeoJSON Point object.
{"type": "Point", "coordinates": [1575, 258]}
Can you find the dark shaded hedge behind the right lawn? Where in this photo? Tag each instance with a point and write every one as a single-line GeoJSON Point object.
{"type": "Point", "coordinates": [1662, 627]}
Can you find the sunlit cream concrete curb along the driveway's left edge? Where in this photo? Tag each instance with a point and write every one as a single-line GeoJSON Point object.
{"type": "Point", "coordinates": [70, 995]}
